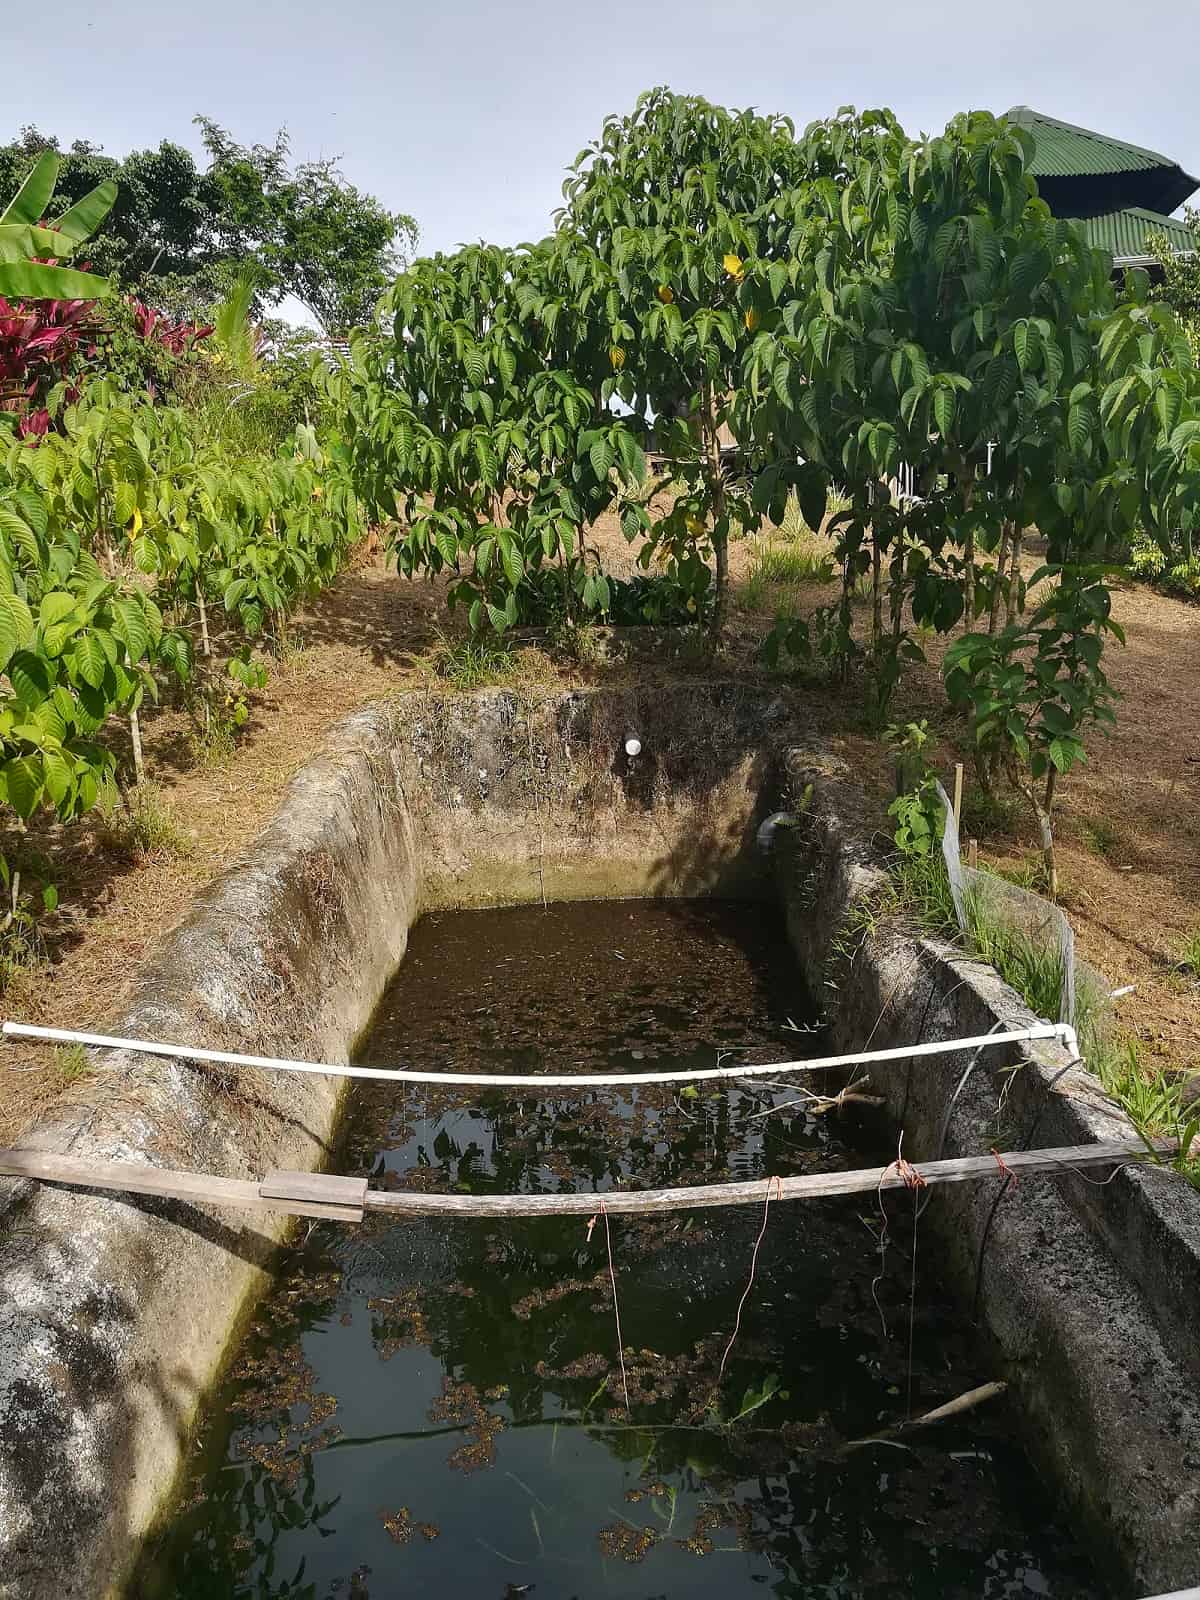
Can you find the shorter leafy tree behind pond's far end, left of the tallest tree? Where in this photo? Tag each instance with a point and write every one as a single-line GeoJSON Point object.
{"type": "Point", "coordinates": [474, 428]}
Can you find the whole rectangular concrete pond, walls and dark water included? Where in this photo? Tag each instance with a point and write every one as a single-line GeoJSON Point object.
{"type": "Point", "coordinates": [209, 1404]}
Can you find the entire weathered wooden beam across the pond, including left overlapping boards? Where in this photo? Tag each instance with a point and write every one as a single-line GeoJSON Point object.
{"type": "Point", "coordinates": [348, 1199]}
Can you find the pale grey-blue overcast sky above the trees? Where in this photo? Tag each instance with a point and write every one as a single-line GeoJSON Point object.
{"type": "Point", "coordinates": [466, 113]}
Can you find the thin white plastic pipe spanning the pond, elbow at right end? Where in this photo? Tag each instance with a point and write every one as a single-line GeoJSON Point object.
{"type": "Point", "coordinates": [529, 1081]}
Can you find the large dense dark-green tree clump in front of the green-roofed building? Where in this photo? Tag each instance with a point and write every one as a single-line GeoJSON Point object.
{"type": "Point", "coordinates": [948, 321]}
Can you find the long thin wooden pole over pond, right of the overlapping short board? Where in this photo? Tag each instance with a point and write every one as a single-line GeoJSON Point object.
{"type": "Point", "coordinates": [809, 1188]}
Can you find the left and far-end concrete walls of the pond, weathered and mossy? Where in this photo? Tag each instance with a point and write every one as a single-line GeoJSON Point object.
{"type": "Point", "coordinates": [118, 1314]}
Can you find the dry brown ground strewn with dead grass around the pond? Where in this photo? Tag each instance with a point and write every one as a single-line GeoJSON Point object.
{"type": "Point", "coordinates": [1129, 822]}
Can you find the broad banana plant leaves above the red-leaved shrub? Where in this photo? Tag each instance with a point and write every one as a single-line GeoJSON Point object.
{"type": "Point", "coordinates": [31, 250]}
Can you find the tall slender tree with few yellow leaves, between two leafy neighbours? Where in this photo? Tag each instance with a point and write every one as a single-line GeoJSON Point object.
{"type": "Point", "coordinates": [671, 202]}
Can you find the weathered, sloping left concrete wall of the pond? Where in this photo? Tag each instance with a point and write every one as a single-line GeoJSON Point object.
{"type": "Point", "coordinates": [116, 1316]}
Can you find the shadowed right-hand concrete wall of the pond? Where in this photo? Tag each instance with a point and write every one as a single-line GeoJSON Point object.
{"type": "Point", "coordinates": [1079, 1289]}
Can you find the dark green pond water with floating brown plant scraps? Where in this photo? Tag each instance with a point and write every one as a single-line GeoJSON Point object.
{"type": "Point", "coordinates": [438, 1409]}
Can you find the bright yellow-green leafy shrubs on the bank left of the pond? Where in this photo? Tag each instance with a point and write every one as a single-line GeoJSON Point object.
{"type": "Point", "coordinates": [116, 537]}
